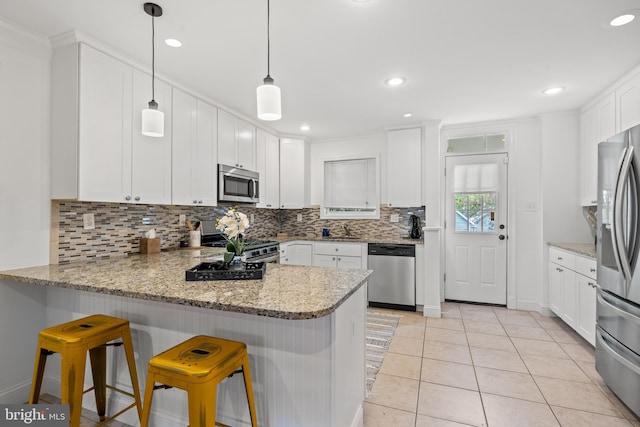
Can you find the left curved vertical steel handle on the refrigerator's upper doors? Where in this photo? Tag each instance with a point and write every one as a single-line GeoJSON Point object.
{"type": "Point", "coordinates": [619, 247]}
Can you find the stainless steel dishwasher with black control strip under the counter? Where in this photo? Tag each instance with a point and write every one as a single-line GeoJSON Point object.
{"type": "Point", "coordinates": [393, 282]}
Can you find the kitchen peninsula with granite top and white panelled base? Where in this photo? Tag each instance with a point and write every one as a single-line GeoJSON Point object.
{"type": "Point", "coordinates": [304, 328]}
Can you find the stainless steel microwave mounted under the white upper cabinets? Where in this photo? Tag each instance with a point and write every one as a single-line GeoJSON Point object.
{"type": "Point", "coordinates": [238, 185]}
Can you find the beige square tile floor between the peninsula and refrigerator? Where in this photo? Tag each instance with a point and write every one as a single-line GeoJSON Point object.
{"type": "Point", "coordinates": [489, 366]}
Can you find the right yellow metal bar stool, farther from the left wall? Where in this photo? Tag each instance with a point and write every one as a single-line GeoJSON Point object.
{"type": "Point", "coordinates": [197, 365]}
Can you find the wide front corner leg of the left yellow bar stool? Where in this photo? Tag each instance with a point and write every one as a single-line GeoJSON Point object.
{"type": "Point", "coordinates": [72, 384]}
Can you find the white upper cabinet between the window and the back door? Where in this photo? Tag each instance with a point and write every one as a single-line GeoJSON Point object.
{"type": "Point", "coordinates": [404, 167]}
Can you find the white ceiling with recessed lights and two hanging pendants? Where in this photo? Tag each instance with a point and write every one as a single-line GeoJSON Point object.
{"type": "Point", "coordinates": [465, 60]}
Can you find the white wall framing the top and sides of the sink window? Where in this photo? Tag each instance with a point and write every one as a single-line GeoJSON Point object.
{"type": "Point", "coordinates": [359, 147]}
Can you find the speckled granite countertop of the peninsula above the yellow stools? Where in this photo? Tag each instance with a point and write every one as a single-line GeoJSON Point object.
{"type": "Point", "coordinates": [286, 292]}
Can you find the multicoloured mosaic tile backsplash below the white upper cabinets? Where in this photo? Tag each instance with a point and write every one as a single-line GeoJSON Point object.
{"type": "Point", "coordinates": [119, 227]}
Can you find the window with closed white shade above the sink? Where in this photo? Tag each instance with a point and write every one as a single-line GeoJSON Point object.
{"type": "Point", "coordinates": [351, 188]}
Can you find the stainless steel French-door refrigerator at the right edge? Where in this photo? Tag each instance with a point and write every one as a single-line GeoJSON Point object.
{"type": "Point", "coordinates": [618, 244]}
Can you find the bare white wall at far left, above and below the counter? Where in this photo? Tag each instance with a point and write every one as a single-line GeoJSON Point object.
{"type": "Point", "coordinates": [24, 200]}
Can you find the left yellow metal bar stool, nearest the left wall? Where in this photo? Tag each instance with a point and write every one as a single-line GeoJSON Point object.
{"type": "Point", "coordinates": [72, 340]}
